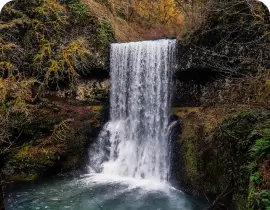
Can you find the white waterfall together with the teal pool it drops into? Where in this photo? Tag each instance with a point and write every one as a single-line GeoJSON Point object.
{"type": "Point", "coordinates": [130, 161]}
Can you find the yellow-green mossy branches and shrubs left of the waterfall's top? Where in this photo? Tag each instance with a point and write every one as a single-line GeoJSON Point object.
{"type": "Point", "coordinates": [44, 45]}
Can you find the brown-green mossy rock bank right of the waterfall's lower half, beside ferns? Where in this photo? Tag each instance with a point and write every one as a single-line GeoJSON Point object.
{"type": "Point", "coordinates": [214, 152]}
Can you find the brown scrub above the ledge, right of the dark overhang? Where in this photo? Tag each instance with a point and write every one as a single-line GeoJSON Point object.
{"type": "Point", "coordinates": [252, 90]}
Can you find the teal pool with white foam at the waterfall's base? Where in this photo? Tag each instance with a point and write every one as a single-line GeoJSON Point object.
{"type": "Point", "coordinates": [98, 192]}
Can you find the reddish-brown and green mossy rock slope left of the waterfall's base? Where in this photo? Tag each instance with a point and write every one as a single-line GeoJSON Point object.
{"type": "Point", "coordinates": [53, 140]}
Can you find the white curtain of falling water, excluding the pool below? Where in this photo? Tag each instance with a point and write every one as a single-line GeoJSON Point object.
{"type": "Point", "coordinates": [135, 142]}
